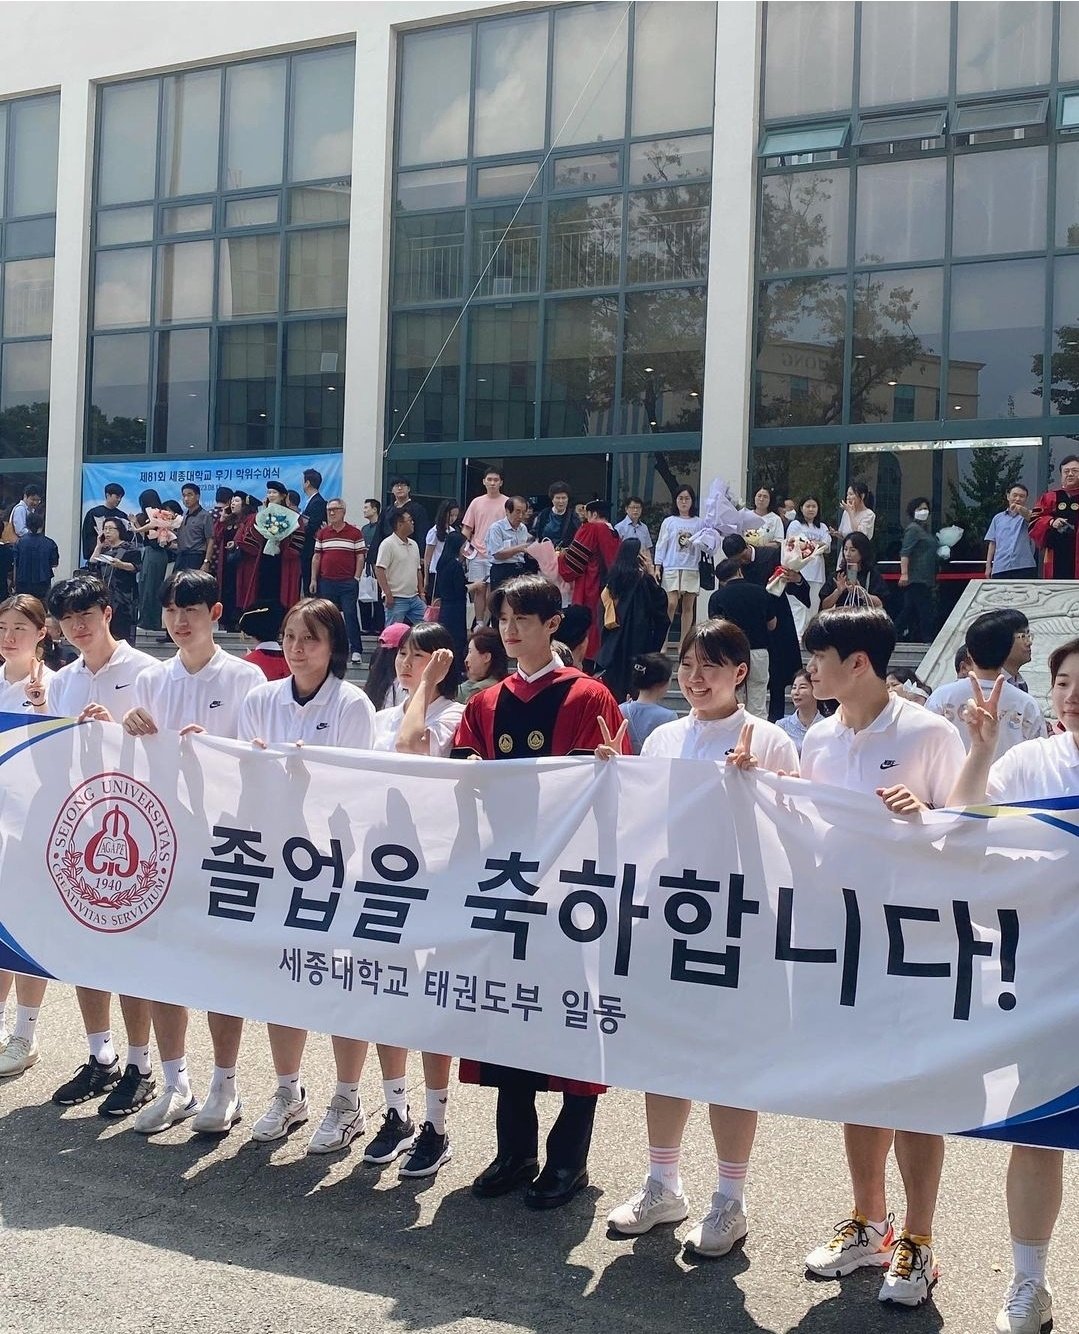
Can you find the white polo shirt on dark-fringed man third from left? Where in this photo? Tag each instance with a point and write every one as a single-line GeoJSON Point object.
{"type": "Point", "coordinates": [214, 697]}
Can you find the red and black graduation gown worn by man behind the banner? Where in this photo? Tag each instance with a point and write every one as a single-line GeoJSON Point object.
{"type": "Point", "coordinates": [518, 720]}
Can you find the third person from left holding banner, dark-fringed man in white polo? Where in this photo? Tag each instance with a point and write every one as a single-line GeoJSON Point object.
{"type": "Point", "coordinates": [201, 690]}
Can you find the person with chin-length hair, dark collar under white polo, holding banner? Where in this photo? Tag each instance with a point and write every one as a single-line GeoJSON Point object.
{"type": "Point", "coordinates": [315, 706]}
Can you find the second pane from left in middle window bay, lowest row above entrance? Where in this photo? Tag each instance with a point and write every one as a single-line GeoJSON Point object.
{"type": "Point", "coordinates": [502, 374]}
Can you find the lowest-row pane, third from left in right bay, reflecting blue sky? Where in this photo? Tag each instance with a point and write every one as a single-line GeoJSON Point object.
{"type": "Point", "coordinates": [997, 325]}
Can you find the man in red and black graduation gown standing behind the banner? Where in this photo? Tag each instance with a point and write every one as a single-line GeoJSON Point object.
{"type": "Point", "coordinates": [542, 709]}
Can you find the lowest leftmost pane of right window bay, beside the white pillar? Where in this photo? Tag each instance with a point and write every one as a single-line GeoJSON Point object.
{"type": "Point", "coordinates": [801, 340]}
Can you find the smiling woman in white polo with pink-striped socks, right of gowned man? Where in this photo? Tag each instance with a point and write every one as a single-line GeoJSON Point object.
{"type": "Point", "coordinates": [716, 661]}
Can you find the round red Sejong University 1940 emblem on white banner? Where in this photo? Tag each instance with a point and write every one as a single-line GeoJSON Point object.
{"type": "Point", "coordinates": [113, 853]}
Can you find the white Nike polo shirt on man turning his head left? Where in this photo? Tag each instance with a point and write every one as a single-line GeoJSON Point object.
{"type": "Point", "coordinates": [902, 745]}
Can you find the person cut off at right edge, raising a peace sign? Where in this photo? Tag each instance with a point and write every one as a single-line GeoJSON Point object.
{"type": "Point", "coordinates": [1034, 770]}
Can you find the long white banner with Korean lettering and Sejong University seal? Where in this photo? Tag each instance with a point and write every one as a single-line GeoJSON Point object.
{"type": "Point", "coordinates": [652, 925]}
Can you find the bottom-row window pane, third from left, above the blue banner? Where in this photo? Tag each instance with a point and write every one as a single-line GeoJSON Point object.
{"type": "Point", "coordinates": [247, 373]}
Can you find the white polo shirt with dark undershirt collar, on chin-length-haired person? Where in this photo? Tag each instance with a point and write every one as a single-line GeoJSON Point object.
{"type": "Point", "coordinates": [338, 714]}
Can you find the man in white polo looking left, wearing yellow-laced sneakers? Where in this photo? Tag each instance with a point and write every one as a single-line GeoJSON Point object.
{"type": "Point", "coordinates": [878, 744]}
